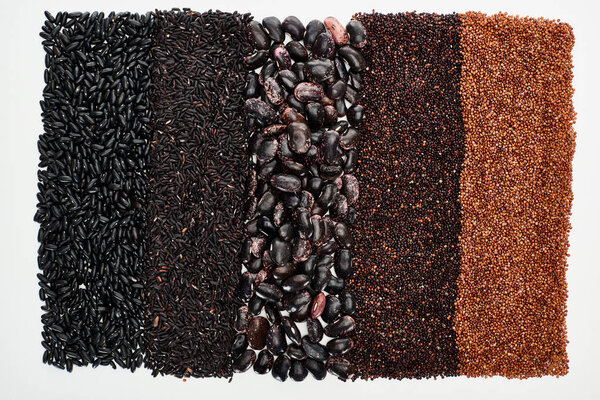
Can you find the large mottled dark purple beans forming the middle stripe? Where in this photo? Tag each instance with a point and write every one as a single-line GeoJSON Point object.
{"type": "Point", "coordinates": [301, 196]}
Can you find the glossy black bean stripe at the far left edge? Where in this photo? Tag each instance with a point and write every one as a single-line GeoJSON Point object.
{"type": "Point", "coordinates": [92, 187]}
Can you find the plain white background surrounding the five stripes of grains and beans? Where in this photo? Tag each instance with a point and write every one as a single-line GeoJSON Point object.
{"type": "Point", "coordinates": [22, 374]}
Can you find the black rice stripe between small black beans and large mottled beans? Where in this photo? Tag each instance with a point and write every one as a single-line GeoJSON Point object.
{"type": "Point", "coordinates": [197, 173]}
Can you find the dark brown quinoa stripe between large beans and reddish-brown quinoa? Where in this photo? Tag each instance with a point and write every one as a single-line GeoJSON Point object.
{"type": "Point", "coordinates": [407, 256]}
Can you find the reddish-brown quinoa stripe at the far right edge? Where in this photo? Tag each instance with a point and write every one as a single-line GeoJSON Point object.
{"type": "Point", "coordinates": [515, 195]}
